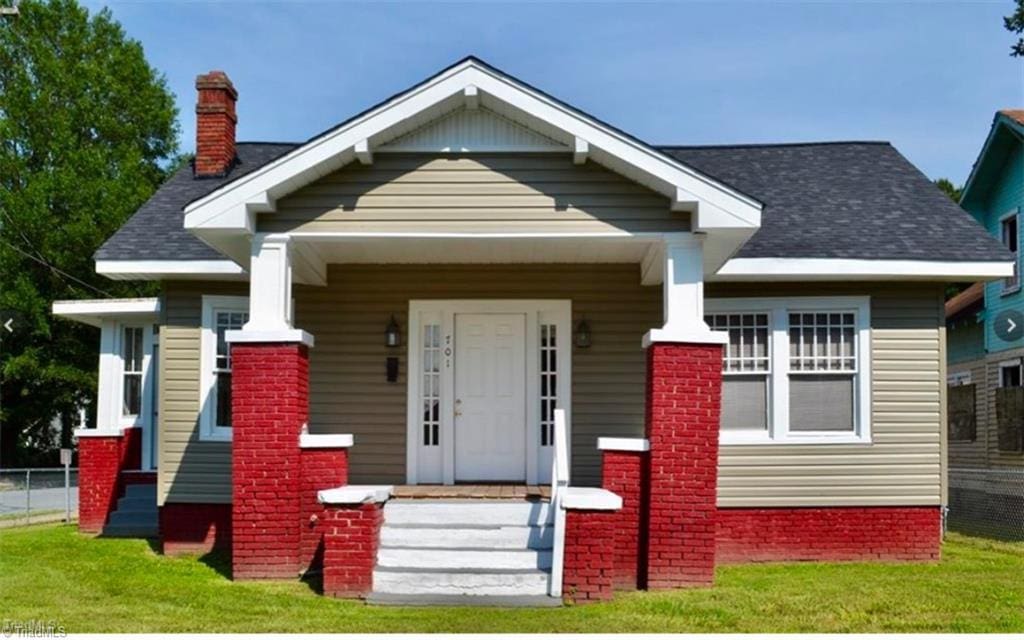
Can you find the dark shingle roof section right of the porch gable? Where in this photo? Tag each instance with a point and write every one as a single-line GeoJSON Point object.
{"type": "Point", "coordinates": [844, 200]}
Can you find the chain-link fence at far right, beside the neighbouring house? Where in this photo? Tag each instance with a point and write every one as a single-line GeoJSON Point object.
{"type": "Point", "coordinates": [988, 502]}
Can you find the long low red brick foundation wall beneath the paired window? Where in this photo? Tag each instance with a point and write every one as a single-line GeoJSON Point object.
{"type": "Point", "coordinates": [834, 534]}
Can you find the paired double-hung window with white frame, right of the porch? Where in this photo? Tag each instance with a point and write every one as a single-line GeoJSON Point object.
{"type": "Point", "coordinates": [794, 370]}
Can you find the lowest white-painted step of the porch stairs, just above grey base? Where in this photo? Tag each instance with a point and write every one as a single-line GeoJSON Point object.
{"type": "Point", "coordinates": [404, 582]}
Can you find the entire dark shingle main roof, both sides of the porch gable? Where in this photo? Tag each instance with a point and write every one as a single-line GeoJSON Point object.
{"type": "Point", "coordinates": [830, 200]}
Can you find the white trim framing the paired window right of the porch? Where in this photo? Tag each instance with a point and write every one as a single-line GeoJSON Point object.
{"type": "Point", "coordinates": [779, 383]}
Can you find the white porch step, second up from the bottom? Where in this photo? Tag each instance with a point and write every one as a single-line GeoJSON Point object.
{"type": "Point", "coordinates": [459, 560]}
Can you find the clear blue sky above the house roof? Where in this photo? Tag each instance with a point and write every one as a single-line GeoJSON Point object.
{"type": "Point", "coordinates": [925, 76]}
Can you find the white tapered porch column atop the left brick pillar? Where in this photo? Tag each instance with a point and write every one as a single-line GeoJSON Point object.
{"type": "Point", "coordinates": [271, 294]}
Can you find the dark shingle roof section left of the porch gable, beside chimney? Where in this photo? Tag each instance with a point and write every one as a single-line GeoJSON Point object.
{"type": "Point", "coordinates": [157, 231]}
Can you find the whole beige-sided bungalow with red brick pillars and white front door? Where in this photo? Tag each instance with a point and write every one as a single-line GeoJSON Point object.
{"type": "Point", "coordinates": [474, 343]}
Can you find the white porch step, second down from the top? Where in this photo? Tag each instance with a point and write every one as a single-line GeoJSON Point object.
{"type": "Point", "coordinates": [506, 537]}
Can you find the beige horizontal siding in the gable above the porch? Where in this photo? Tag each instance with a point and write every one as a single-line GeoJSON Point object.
{"type": "Point", "coordinates": [413, 193]}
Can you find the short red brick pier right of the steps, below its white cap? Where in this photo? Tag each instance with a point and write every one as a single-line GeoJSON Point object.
{"type": "Point", "coordinates": [590, 556]}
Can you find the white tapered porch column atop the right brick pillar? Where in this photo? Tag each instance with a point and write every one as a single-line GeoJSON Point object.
{"type": "Point", "coordinates": [682, 294]}
